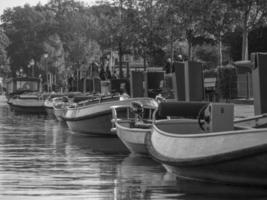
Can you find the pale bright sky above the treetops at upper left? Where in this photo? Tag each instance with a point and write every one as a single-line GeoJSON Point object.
{"type": "Point", "coordinates": [4, 4]}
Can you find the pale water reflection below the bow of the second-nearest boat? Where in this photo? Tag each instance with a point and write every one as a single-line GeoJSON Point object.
{"type": "Point", "coordinates": [140, 177]}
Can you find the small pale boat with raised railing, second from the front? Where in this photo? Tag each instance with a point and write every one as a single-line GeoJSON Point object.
{"type": "Point", "coordinates": [133, 127]}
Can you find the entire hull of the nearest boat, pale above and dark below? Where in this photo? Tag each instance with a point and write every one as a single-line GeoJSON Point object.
{"type": "Point", "coordinates": [234, 157]}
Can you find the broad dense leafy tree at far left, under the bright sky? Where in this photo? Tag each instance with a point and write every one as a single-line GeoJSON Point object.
{"type": "Point", "coordinates": [26, 28]}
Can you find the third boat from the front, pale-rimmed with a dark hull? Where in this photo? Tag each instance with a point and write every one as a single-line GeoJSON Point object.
{"type": "Point", "coordinates": [94, 115]}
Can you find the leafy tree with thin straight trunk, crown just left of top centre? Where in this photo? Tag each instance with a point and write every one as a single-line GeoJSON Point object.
{"type": "Point", "coordinates": [113, 27]}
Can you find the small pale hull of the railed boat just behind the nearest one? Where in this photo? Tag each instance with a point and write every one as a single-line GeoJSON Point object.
{"type": "Point", "coordinates": [133, 138]}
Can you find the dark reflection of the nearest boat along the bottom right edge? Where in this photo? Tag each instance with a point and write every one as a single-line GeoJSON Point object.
{"type": "Point", "coordinates": [194, 189]}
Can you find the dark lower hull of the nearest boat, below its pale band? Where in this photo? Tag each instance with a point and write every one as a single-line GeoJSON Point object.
{"type": "Point", "coordinates": [246, 171]}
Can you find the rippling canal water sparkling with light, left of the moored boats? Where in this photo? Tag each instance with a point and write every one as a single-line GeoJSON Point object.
{"type": "Point", "coordinates": [41, 158]}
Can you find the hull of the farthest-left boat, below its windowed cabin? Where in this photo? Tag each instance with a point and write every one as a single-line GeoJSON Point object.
{"type": "Point", "coordinates": [28, 103]}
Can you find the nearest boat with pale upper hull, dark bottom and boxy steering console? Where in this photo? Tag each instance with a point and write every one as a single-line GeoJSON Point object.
{"type": "Point", "coordinates": [209, 147]}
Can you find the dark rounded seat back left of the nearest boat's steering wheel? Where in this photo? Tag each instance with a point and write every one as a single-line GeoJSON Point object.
{"type": "Point", "coordinates": [180, 109]}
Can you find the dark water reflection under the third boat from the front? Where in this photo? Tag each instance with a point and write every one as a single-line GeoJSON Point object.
{"type": "Point", "coordinates": [110, 145]}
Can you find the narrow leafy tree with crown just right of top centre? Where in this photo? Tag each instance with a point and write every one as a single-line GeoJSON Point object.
{"type": "Point", "coordinates": [149, 32]}
